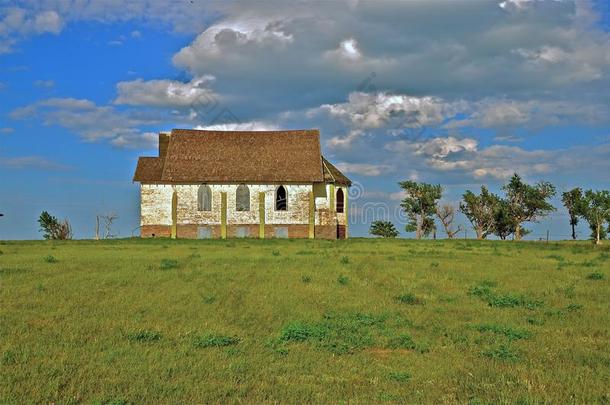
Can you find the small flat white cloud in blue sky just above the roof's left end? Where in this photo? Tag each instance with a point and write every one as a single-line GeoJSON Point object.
{"type": "Point", "coordinates": [167, 93]}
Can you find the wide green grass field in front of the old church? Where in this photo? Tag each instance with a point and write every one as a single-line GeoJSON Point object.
{"type": "Point", "coordinates": [292, 321]}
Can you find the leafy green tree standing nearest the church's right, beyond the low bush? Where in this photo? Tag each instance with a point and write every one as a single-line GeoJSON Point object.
{"type": "Point", "coordinates": [420, 206]}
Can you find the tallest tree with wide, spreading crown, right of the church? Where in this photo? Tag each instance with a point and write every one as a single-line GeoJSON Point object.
{"type": "Point", "coordinates": [527, 203]}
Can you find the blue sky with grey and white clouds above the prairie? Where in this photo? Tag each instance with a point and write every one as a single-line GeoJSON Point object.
{"type": "Point", "coordinates": [460, 93]}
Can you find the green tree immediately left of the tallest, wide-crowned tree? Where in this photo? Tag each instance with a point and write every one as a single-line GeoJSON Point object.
{"type": "Point", "coordinates": [480, 209]}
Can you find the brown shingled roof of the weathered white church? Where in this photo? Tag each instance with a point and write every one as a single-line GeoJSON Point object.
{"type": "Point", "coordinates": [200, 156]}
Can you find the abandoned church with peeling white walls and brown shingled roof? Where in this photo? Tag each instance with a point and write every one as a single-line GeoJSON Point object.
{"type": "Point", "coordinates": [227, 184]}
